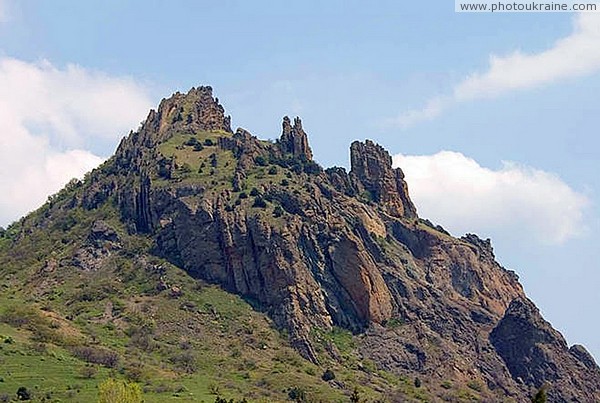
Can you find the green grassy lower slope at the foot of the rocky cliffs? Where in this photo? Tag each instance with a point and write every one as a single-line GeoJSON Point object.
{"type": "Point", "coordinates": [64, 330]}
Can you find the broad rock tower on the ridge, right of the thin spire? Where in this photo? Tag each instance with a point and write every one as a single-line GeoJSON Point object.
{"type": "Point", "coordinates": [372, 167]}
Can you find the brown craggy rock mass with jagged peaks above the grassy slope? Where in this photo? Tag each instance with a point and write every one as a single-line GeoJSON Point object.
{"type": "Point", "coordinates": [317, 249]}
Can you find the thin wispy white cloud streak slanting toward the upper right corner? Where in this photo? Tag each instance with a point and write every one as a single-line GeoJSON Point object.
{"type": "Point", "coordinates": [575, 55]}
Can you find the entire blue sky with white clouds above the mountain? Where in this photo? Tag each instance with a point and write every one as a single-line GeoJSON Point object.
{"type": "Point", "coordinates": [494, 117]}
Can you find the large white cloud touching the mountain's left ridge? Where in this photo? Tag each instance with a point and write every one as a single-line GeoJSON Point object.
{"type": "Point", "coordinates": [47, 117]}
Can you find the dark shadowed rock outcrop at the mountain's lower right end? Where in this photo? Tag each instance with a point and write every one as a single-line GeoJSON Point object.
{"type": "Point", "coordinates": [536, 354]}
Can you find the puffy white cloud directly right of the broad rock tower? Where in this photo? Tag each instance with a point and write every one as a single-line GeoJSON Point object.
{"type": "Point", "coordinates": [461, 195]}
